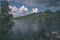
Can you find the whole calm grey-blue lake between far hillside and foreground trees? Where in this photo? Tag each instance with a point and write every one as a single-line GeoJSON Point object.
{"type": "Point", "coordinates": [28, 27]}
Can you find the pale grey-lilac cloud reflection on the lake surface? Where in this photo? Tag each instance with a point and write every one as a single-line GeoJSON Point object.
{"type": "Point", "coordinates": [24, 26]}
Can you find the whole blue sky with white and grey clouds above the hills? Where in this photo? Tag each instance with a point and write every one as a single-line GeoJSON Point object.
{"type": "Point", "coordinates": [23, 7]}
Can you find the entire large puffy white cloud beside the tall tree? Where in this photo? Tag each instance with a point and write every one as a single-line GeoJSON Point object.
{"type": "Point", "coordinates": [21, 11]}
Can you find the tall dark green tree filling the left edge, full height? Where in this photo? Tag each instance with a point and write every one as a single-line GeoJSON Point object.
{"type": "Point", "coordinates": [6, 21]}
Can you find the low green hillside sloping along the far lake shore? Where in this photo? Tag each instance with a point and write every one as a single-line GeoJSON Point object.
{"type": "Point", "coordinates": [41, 16]}
